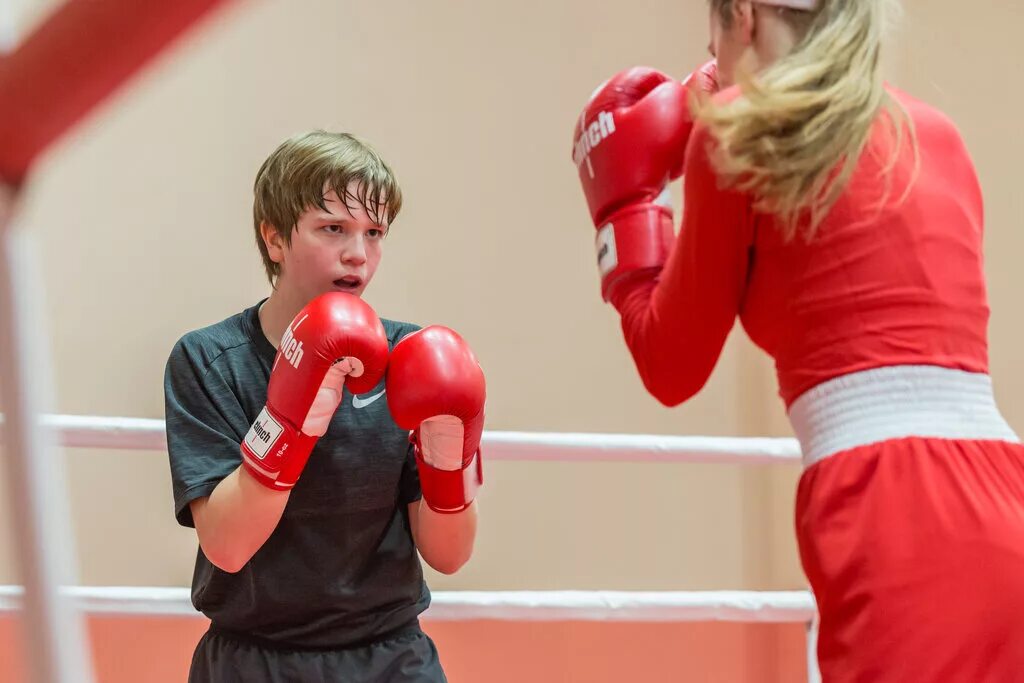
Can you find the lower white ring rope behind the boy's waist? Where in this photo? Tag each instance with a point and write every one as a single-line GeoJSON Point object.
{"type": "Point", "coordinates": [648, 607]}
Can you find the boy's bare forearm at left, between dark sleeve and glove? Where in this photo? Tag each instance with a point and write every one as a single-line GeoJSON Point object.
{"type": "Point", "coordinates": [237, 520]}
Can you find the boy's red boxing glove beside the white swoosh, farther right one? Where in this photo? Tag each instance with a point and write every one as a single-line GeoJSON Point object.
{"type": "Point", "coordinates": [436, 389]}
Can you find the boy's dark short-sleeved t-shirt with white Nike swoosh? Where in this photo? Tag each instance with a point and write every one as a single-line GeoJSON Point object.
{"type": "Point", "coordinates": [342, 567]}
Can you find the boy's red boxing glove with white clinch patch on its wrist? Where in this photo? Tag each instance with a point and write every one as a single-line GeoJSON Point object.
{"type": "Point", "coordinates": [337, 338]}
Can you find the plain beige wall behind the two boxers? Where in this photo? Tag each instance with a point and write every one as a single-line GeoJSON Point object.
{"type": "Point", "coordinates": [474, 104]}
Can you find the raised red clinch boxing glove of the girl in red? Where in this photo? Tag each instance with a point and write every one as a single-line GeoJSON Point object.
{"type": "Point", "coordinates": [630, 143]}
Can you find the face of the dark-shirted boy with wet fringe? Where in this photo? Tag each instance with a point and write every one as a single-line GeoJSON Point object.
{"type": "Point", "coordinates": [333, 251]}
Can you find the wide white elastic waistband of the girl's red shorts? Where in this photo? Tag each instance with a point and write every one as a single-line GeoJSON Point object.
{"type": "Point", "coordinates": [895, 403]}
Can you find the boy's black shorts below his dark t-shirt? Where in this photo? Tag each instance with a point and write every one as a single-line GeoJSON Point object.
{"type": "Point", "coordinates": [407, 656]}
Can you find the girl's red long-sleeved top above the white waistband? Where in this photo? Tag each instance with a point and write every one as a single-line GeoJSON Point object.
{"type": "Point", "coordinates": [887, 280]}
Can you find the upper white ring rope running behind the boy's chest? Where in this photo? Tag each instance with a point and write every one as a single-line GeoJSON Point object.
{"type": "Point", "coordinates": [80, 432]}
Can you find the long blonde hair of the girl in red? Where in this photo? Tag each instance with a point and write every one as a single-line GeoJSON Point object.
{"type": "Point", "coordinates": [797, 133]}
